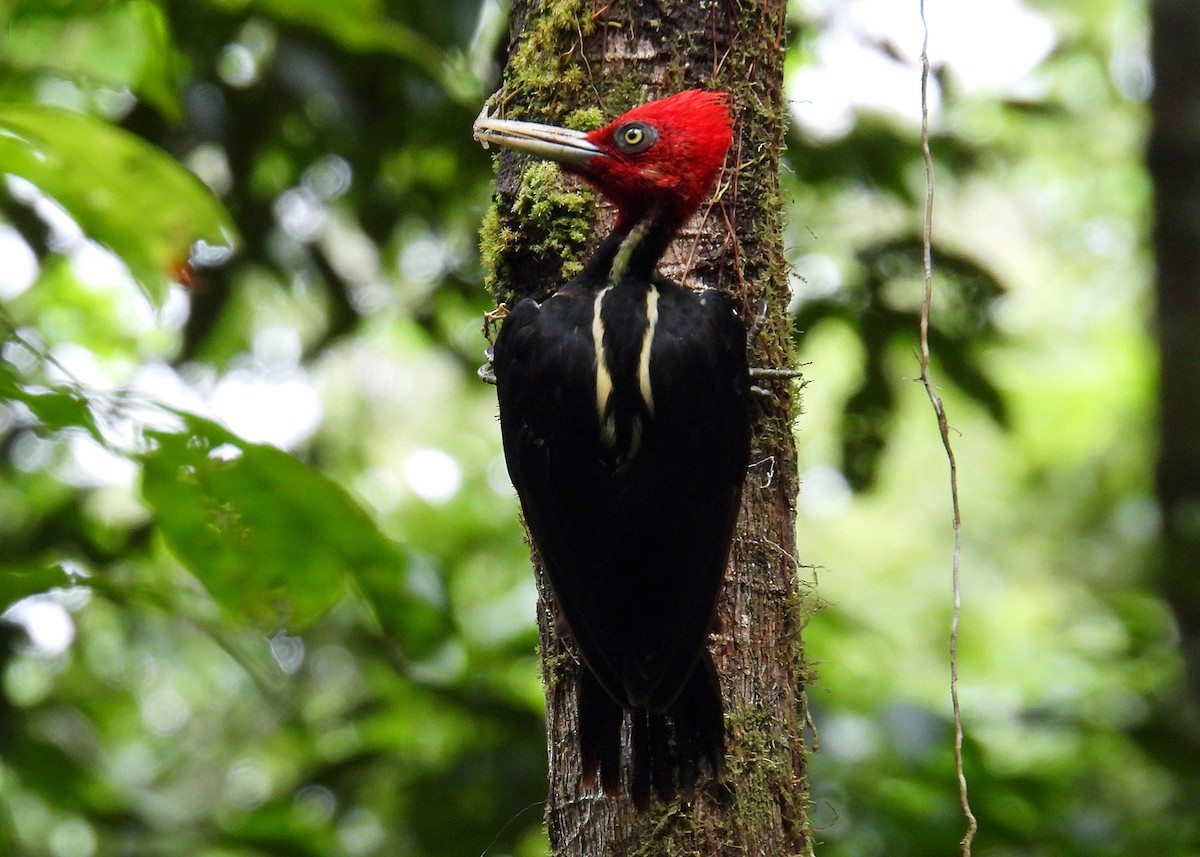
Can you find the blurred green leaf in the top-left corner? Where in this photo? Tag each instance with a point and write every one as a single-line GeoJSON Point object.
{"type": "Point", "coordinates": [123, 45]}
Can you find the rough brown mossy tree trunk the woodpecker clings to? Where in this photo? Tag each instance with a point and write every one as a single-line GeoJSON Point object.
{"type": "Point", "coordinates": [579, 63]}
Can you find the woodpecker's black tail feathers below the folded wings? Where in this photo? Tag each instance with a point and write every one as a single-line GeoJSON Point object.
{"type": "Point", "coordinates": [667, 747]}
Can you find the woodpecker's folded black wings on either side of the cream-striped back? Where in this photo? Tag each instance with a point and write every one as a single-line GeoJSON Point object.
{"type": "Point", "coordinates": [635, 549]}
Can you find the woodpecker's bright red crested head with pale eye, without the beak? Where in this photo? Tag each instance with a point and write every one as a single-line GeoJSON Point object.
{"type": "Point", "coordinates": [664, 155]}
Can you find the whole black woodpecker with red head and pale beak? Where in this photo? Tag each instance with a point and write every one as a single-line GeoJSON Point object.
{"type": "Point", "coordinates": [625, 416]}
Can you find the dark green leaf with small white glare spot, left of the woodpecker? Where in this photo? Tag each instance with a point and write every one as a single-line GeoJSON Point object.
{"type": "Point", "coordinates": [274, 541]}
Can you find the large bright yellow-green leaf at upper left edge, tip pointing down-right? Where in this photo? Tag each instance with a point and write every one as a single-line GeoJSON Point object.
{"type": "Point", "coordinates": [122, 191]}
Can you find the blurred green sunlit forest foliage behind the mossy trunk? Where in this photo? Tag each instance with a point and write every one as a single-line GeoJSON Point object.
{"type": "Point", "coordinates": [266, 588]}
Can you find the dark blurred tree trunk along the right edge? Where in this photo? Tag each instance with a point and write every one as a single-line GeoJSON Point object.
{"type": "Point", "coordinates": [1174, 159]}
